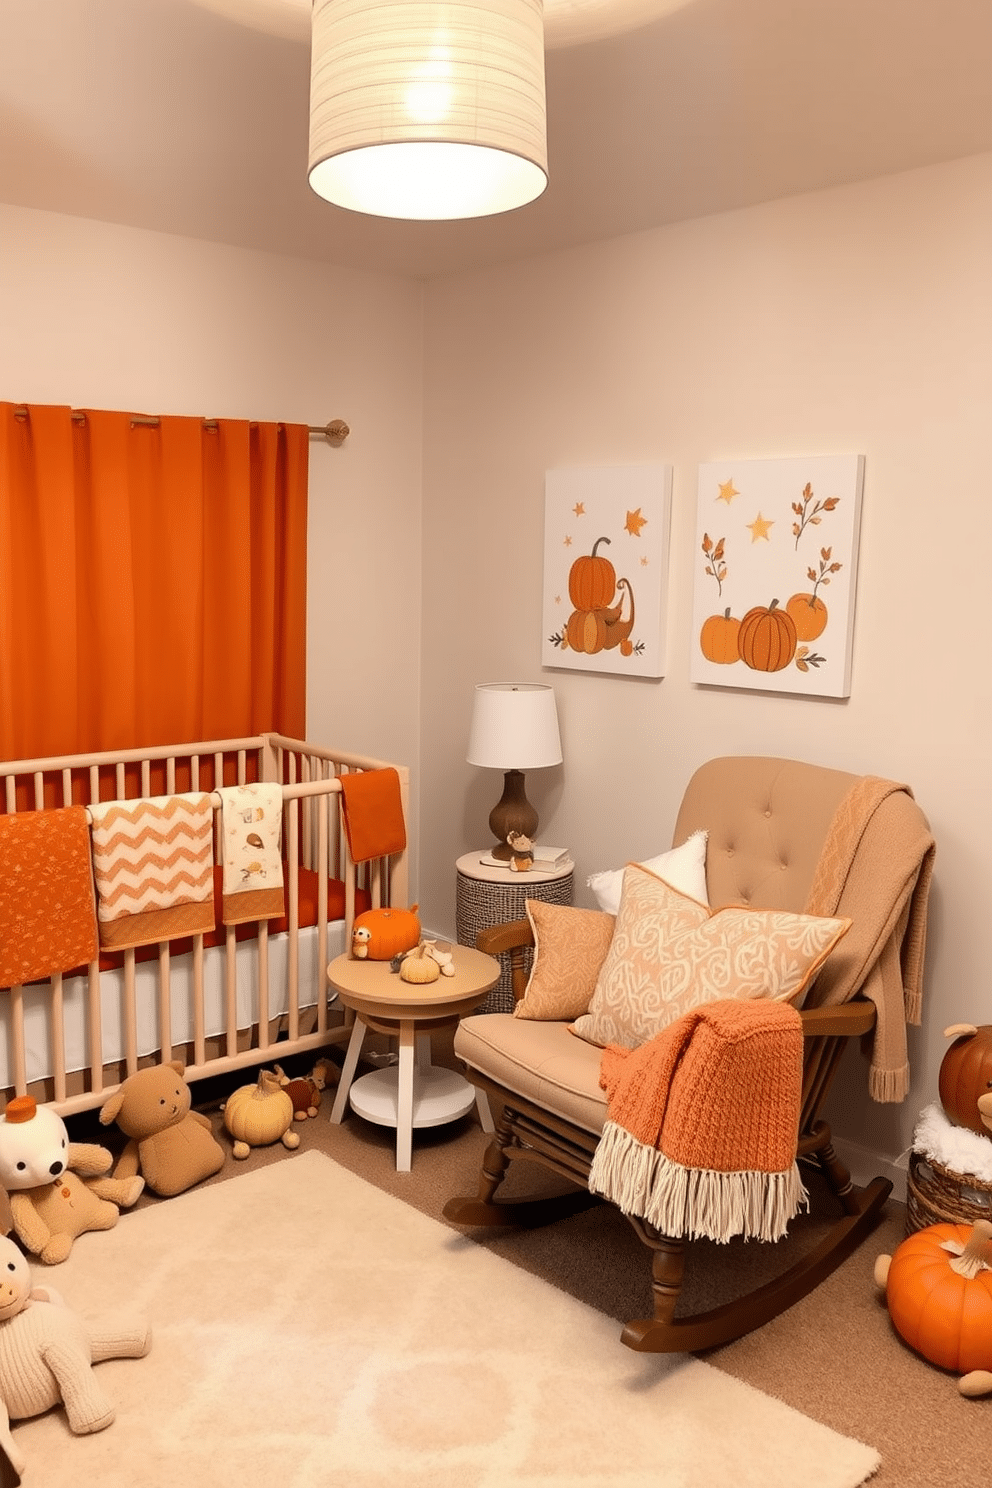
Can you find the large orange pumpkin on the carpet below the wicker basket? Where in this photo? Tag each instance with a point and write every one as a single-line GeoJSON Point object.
{"type": "Point", "coordinates": [939, 1294]}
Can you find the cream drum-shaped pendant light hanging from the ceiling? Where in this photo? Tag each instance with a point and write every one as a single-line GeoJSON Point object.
{"type": "Point", "coordinates": [428, 111]}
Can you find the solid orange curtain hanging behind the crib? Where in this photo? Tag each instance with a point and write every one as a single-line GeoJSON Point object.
{"type": "Point", "coordinates": [152, 581]}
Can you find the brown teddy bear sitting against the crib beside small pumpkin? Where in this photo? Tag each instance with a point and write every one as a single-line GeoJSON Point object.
{"type": "Point", "coordinates": [172, 1147]}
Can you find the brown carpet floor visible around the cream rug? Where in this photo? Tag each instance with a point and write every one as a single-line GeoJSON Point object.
{"type": "Point", "coordinates": [834, 1356]}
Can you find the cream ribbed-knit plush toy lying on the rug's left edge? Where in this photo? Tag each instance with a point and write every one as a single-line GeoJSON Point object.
{"type": "Point", "coordinates": [47, 1352]}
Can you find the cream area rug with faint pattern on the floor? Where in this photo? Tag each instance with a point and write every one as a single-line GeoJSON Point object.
{"type": "Point", "coordinates": [315, 1333]}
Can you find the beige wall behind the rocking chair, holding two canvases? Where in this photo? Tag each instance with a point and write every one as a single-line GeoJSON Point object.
{"type": "Point", "coordinates": [850, 321]}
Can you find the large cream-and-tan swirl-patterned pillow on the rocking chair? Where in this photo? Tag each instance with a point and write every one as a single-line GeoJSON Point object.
{"type": "Point", "coordinates": [671, 955]}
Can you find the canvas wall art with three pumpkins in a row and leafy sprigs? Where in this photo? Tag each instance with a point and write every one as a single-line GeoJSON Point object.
{"type": "Point", "coordinates": [776, 574]}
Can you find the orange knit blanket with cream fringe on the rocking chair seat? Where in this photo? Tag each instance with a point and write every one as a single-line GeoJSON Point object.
{"type": "Point", "coordinates": [703, 1124]}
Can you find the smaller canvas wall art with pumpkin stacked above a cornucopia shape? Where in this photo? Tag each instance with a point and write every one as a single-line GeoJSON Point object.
{"type": "Point", "coordinates": [606, 569]}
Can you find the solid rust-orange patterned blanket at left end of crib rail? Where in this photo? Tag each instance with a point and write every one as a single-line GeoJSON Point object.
{"type": "Point", "coordinates": [48, 914]}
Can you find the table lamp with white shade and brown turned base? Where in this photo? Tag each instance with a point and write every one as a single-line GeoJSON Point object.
{"type": "Point", "coordinates": [514, 728]}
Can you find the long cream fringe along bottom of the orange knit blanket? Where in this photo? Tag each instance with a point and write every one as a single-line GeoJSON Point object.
{"type": "Point", "coordinates": [694, 1203]}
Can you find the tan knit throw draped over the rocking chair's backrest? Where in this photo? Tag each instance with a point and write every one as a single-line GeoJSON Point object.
{"type": "Point", "coordinates": [886, 892]}
